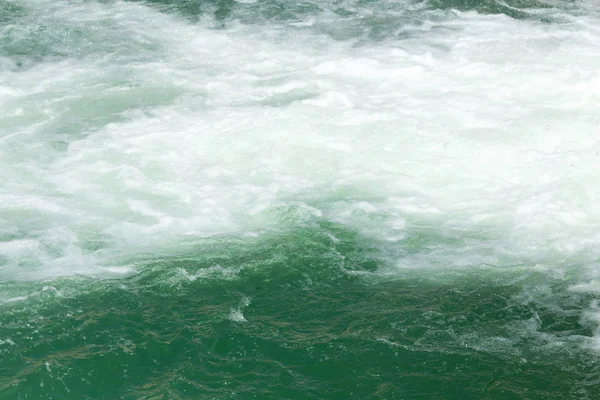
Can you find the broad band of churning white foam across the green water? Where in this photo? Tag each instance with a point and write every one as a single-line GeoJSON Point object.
{"type": "Point", "coordinates": [128, 132]}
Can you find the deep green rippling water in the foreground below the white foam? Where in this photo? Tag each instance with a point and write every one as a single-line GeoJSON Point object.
{"type": "Point", "coordinates": [287, 318]}
